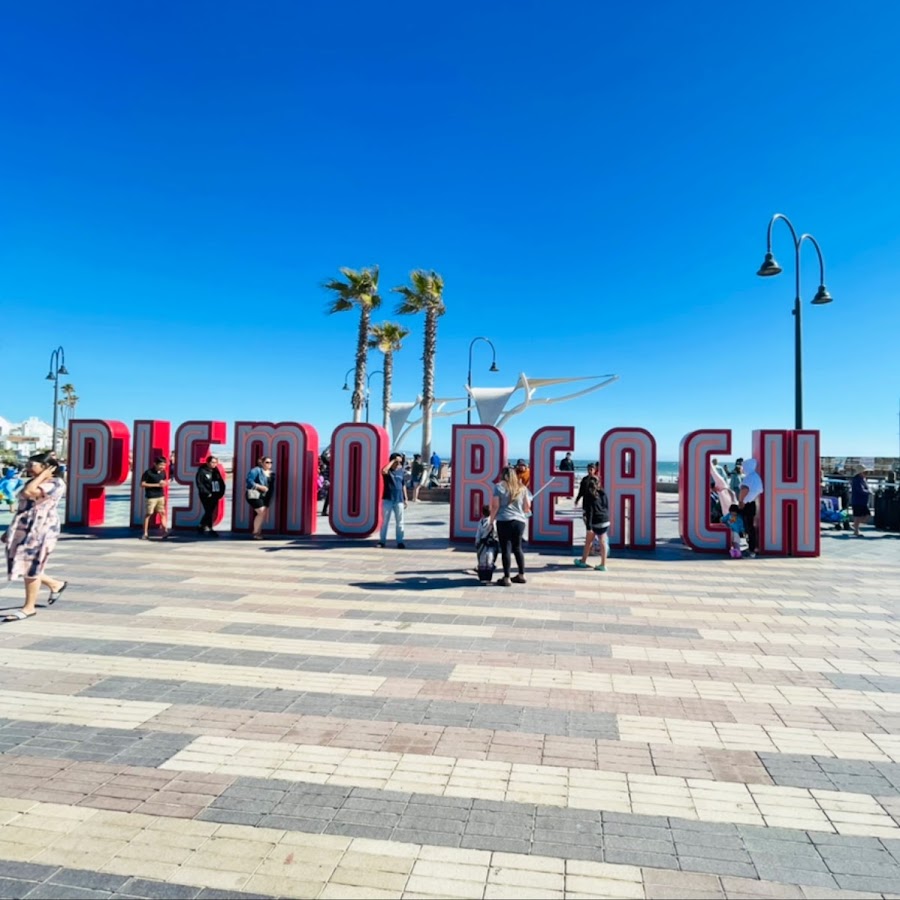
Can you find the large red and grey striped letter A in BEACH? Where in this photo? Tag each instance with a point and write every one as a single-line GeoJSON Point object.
{"type": "Point", "coordinates": [628, 474]}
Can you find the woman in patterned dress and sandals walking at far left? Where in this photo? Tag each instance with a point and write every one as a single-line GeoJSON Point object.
{"type": "Point", "coordinates": [33, 532]}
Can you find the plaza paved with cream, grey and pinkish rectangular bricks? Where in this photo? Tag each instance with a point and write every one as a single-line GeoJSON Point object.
{"type": "Point", "coordinates": [321, 718]}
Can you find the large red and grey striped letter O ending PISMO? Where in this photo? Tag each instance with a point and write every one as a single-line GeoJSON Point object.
{"type": "Point", "coordinates": [359, 452]}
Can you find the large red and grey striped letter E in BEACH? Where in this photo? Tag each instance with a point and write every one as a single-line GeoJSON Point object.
{"type": "Point", "coordinates": [547, 483]}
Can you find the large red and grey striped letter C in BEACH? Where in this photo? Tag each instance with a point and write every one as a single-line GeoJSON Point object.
{"type": "Point", "coordinates": [695, 454]}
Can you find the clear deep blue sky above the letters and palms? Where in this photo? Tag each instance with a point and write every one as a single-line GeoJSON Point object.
{"type": "Point", "coordinates": [592, 179]}
